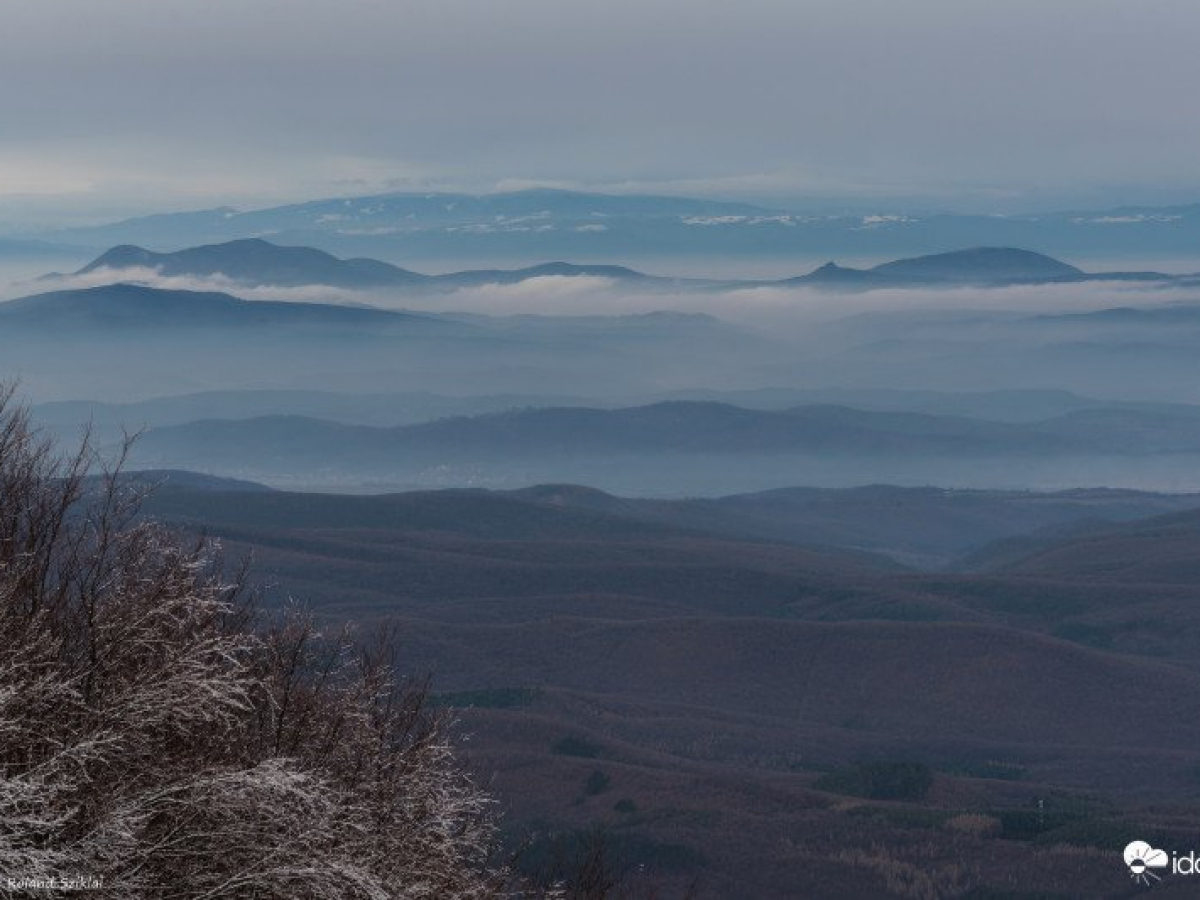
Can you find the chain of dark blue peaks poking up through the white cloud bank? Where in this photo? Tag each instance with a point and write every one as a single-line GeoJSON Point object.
{"type": "Point", "coordinates": [256, 262]}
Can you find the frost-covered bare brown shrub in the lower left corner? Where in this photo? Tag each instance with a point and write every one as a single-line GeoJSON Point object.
{"type": "Point", "coordinates": [155, 737]}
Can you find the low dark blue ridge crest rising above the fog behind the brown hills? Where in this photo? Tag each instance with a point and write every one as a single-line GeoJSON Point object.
{"type": "Point", "coordinates": [679, 428]}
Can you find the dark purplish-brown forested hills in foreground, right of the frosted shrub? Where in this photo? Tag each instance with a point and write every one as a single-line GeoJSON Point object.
{"type": "Point", "coordinates": [763, 718]}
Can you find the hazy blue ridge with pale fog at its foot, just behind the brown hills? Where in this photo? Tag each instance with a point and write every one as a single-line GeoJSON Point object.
{"type": "Point", "coordinates": [651, 449]}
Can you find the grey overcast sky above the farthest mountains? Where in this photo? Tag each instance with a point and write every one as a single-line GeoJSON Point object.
{"type": "Point", "coordinates": [134, 105]}
